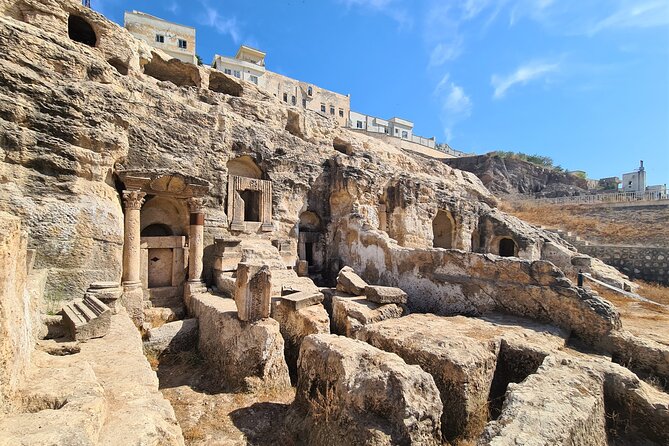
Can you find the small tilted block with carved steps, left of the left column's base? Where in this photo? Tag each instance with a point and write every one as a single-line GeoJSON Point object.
{"type": "Point", "coordinates": [86, 319]}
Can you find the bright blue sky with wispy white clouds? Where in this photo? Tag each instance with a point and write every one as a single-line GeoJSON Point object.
{"type": "Point", "coordinates": [585, 82]}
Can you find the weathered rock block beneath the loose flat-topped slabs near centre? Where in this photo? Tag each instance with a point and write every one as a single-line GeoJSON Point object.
{"type": "Point", "coordinates": [351, 313]}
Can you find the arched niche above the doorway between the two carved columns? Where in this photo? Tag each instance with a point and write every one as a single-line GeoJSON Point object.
{"type": "Point", "coordinates": [168, 213]}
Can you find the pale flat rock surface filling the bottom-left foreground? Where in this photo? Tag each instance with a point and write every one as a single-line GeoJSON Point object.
{"type": "Point", "coordinates": [106, 394]}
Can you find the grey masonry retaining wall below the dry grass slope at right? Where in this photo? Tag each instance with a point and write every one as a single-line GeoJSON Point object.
{"type": "Point", "coordinates": [638, 262]}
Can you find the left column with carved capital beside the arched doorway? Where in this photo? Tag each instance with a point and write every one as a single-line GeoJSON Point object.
{"type": "Point", "coordinates": [133, 296]}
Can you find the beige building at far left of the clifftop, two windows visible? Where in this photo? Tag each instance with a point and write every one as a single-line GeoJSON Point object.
{"type": "Point", "coordinates": [176, 40]}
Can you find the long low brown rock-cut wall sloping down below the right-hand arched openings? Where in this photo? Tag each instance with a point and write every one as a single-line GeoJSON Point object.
{"type": "Point", "coordinates": [447, 282]}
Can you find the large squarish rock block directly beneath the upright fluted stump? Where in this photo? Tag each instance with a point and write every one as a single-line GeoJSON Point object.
{"type": "Point", "coordinates": [245, 354]}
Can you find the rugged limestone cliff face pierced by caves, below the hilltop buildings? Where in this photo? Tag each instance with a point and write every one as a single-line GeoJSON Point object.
{"type": "Point", "coordinates": [73, 117]}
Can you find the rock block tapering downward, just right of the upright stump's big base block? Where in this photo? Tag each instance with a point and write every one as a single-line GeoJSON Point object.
{"type": "Point", "coordinates": [295, 325]}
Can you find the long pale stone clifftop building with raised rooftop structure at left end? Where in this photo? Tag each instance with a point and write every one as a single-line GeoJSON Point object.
{"type": "Point", "coordinates": [249, 64]}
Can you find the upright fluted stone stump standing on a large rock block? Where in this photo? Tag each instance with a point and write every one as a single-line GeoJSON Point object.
{"type": "Point", "coordinates": [253, 289]}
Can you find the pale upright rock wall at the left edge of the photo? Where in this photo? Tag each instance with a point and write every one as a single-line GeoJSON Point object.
{"type": "Point", "coordinates": [16, 340]}
